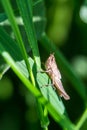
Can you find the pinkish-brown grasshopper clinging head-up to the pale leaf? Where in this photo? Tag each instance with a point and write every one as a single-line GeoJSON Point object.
{"type": "Point", "coordinates": [54, 74]}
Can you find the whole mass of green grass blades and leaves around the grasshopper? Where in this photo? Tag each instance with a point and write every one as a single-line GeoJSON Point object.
{"type": "Point", "coordinates": [14, 55]}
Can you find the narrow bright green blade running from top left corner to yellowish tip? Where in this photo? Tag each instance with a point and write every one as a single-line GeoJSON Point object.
{"type": "Point", "coordinates": [7, 6]}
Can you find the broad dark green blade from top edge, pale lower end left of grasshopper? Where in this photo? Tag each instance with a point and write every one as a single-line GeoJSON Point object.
{"type": "Point", "coordinates": [26, 13]}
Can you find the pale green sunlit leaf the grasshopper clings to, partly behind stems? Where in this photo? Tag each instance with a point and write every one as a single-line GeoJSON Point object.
{"type": "Point", "coordinates": [47, 92]}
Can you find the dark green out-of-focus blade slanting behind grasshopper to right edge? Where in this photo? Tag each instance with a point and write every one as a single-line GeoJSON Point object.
{"type": "Point", "coordinates": [64, 65]}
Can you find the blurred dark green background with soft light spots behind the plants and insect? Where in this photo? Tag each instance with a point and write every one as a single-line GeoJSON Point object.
{"type": "Point", "coordinates": [67, 28]}
